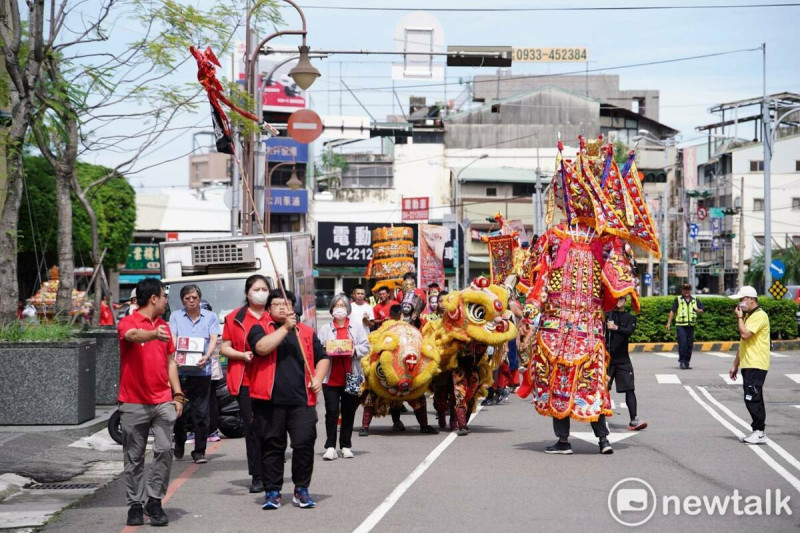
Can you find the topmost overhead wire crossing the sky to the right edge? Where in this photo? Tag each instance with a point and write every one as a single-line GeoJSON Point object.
{"type": "Point", "coordinates": [546, 9]}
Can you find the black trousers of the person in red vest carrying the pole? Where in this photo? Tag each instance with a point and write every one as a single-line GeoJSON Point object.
{"type": "Point", "coordinates": [273, 423]}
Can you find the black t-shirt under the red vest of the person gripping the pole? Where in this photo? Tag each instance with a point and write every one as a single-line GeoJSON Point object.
{"type": "Point", "coordinates": [290, 373]}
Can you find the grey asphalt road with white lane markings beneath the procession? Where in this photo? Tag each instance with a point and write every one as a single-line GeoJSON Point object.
{"type": "Point", "coordinates": [498, 478]}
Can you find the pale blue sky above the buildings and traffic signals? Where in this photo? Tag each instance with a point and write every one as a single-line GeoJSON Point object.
{"type": "Point", "coordinates": [613, 38]}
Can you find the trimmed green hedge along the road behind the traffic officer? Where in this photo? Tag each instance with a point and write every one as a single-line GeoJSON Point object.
{"type": "Point", "coordinates": [717, 323]}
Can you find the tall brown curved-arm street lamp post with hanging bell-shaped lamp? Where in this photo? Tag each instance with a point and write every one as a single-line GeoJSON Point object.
{"type": "Point", "coordinates": [303, 74]}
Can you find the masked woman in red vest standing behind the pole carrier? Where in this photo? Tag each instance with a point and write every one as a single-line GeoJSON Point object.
{"type": "Point", "coordinates": [234, 346]}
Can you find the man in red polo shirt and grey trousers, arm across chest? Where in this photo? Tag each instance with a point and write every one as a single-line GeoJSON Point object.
{"type": "Point", "coordinates": [150, 397]}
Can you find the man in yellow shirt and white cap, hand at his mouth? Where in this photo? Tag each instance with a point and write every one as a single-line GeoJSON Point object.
{"type": "Point", "coordinates": [753, 358]}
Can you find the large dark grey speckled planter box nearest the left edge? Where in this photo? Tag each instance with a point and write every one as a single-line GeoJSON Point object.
{"type": "Point", "coordinates": [47, 383]}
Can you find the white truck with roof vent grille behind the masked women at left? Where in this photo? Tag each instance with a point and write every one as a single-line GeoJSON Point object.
{"type": "Point", "coordinates": [220, 266]}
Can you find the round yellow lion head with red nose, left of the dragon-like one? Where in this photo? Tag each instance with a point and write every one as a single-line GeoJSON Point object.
{"type": "Point", "coordinates": [401, 364]}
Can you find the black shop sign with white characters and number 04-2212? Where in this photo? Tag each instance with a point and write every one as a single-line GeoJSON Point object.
{"type": "Point", "coordinates": [350, 243]}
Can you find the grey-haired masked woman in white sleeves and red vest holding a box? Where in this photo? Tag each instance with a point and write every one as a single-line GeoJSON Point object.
{"type": "Point", "coordinates": [345, 344]}
